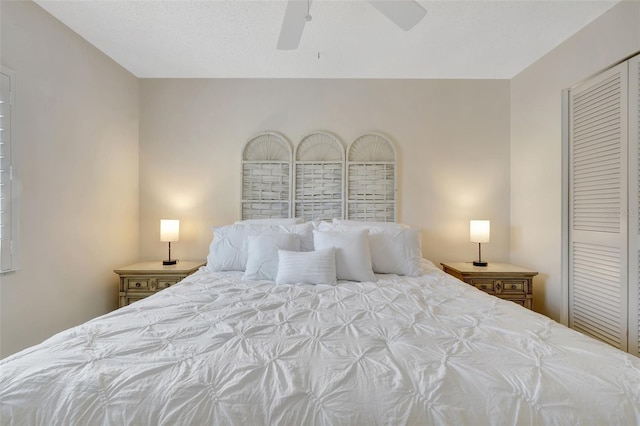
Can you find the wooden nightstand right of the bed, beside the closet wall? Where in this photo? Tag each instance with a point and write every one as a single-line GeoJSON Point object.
{"type": "Point", "coordinates": [502, 280]}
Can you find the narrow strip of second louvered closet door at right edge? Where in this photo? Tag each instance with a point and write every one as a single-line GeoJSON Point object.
{"type": "Point", "coordinates": [634, 205]}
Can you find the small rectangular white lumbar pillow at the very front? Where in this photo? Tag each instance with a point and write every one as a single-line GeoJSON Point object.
{"type": "Point", "coordinates": [312, 267]}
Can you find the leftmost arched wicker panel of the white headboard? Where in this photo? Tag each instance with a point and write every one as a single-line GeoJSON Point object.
{"type": "Point", "coordinates": [266, 177]}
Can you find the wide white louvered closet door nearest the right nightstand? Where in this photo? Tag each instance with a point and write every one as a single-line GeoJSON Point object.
{"type": "Point", "coordinates": [598, 266]}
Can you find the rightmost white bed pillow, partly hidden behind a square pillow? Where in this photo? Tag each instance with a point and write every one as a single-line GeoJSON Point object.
{"type": "Point", "coordinates": [394, 250]}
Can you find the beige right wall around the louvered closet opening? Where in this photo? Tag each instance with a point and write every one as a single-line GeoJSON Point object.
{"type": "Point", "coordinates": [536, 142]}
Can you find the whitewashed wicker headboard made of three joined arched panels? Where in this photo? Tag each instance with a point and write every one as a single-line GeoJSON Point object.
{"type": "Point", "coordinates": [318, 180]}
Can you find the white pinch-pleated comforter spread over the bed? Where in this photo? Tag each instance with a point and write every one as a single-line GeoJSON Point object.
{"type": "Point", "coordinates": [219, 350]}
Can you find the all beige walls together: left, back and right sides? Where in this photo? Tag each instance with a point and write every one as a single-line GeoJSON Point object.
{"type": "Point", "coordinates": [467, 149]}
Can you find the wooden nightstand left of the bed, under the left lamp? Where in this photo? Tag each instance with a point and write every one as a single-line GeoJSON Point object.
{"type": "Point", "coordinates": [143, 279]}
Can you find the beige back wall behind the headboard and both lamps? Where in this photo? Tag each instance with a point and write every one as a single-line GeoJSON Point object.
{"type": "Point", "coordinates": [452, 140]}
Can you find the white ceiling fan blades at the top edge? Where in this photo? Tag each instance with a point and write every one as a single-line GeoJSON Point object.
{"type": "Point", "coordinates": [404, 13]}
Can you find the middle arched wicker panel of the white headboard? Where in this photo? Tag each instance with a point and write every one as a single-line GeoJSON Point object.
{"type": "Point", "coordinates": [319, 177]}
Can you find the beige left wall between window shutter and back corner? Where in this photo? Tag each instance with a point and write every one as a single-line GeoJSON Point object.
{"type": "Point", "coordinates": [77, 141]}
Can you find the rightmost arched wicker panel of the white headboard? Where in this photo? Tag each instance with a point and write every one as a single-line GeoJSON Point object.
{"type": "Point", "coordinates": [371, 179]}
